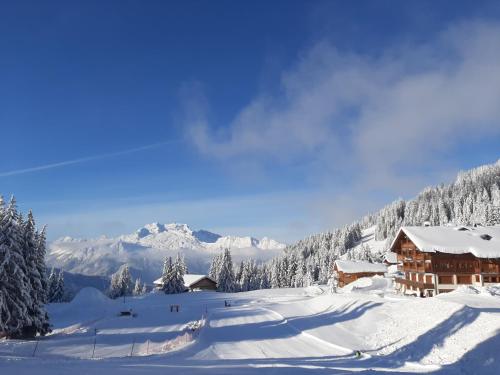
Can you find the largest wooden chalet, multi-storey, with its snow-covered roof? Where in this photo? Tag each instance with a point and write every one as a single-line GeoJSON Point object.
{"type": "Point", "coordinates": [439, 259]}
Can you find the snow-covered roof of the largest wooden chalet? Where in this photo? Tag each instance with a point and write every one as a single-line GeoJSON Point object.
{"type": "Point", "coordinates": [483, 242]}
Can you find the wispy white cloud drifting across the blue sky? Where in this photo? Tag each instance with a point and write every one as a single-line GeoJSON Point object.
{"type": "Point", "coordinates": [375, 115]}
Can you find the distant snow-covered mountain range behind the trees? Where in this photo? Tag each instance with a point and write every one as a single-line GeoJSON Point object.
{"type": "Point", "coordinates": [145, 250]}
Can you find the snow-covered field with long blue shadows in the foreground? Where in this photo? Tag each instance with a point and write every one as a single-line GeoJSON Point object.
{"type": "Point", "coordinates": [278, 331]}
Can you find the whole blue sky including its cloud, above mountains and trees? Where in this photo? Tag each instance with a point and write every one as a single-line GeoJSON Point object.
{"type": "Point", "coordinates": [274, 118]}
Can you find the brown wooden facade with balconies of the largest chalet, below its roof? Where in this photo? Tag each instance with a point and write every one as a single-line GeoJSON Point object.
{"type": "Point", "coordinates": [431, 273]}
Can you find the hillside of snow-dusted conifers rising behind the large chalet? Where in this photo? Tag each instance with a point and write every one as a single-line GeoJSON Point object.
{"type": "Point", "coordinates": [473, 199]}
